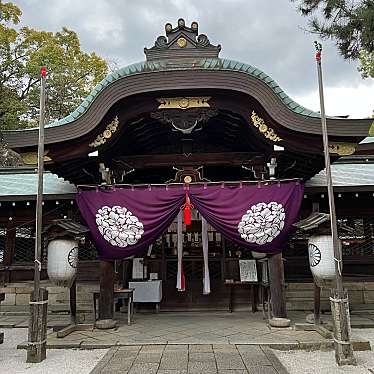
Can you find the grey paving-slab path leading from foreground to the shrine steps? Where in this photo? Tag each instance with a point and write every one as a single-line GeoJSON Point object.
{"type": "Point", "coordinates": [183, 359]}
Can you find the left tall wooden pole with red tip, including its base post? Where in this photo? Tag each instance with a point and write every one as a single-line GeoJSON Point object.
{"type": "Point", "coordinates": [36, 351]}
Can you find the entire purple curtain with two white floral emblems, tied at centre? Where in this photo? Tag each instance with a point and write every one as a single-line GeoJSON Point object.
{"type": "Point", "coordinates": [124, 221]}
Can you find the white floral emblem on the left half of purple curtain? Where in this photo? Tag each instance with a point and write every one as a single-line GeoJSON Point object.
{"type": "Point", "coordinates": [119, 226]}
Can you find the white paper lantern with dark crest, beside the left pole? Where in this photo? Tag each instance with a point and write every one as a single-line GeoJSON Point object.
{"type": "Point", "coordinates": [62, 261]}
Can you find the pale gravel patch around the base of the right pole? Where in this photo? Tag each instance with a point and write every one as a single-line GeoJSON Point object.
{"type": "Point", "coordinates": [318, 362]}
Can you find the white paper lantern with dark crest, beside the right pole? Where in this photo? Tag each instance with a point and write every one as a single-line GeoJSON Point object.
{"type": "Point", "coordinates": [321, 258]}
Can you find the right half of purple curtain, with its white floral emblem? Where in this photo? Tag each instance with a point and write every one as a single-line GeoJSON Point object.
{"type": "Point", "coordinates": [258, 218]}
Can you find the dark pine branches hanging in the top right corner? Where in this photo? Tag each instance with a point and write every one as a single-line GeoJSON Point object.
{"type": "Point", "coordinates": [349, 22]}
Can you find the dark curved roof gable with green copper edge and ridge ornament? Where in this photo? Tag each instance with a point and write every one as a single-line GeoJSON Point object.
{"type": "Point", "coordinates": [184, 53]}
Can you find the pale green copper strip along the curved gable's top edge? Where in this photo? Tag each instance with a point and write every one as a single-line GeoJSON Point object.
{"type": "Point", "coordinates": [202, 64]}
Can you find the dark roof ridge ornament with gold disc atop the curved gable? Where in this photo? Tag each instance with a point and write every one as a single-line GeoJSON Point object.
{"type": "Point", "coordinates": [182, 42]}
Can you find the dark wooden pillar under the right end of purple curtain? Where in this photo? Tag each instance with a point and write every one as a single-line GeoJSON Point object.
{"type": "Point", "coordinates": [276, 280]}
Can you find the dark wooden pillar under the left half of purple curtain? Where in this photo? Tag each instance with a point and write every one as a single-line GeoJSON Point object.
{"type": "Point", "coordinates": [106, 299]}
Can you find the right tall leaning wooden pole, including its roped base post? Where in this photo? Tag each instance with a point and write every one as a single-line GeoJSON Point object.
{"type": "Point", "coordinates": [339, 296]}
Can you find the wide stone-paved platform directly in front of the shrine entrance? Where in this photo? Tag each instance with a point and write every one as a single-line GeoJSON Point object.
{"type": "Point", "coordinates": [191, 328]}
